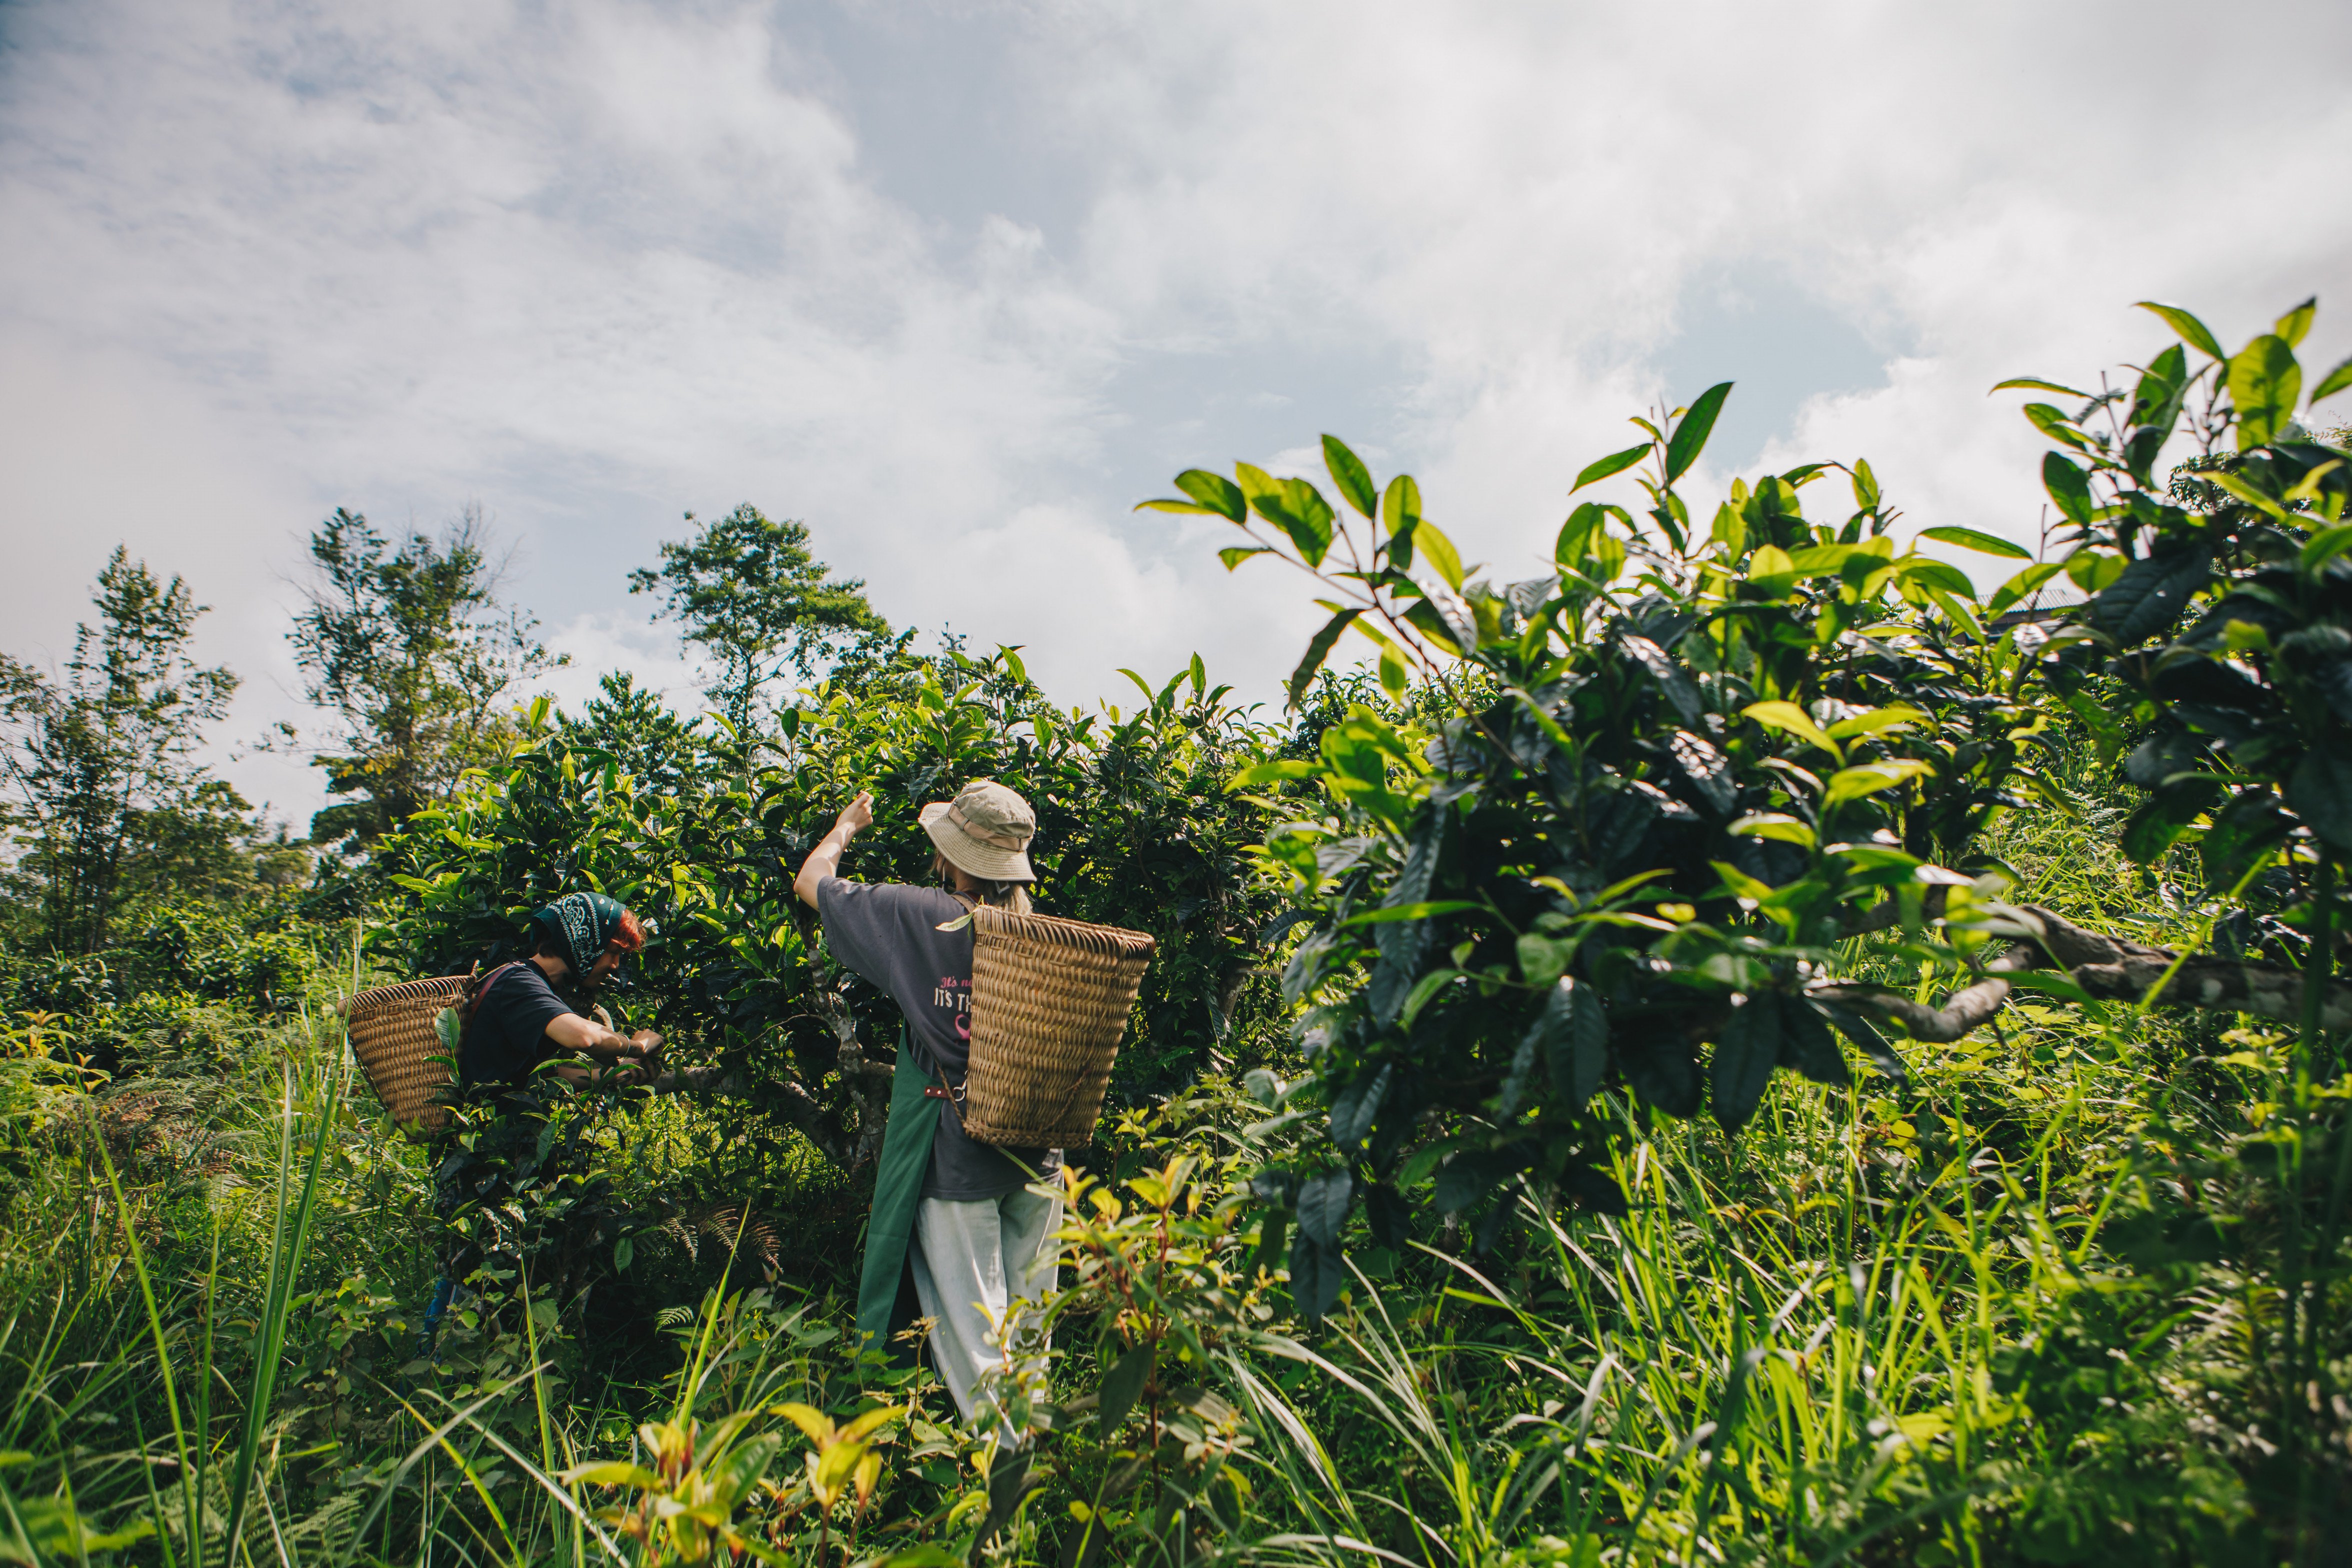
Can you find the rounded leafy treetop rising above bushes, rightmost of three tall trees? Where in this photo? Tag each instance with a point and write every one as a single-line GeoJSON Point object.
{"type": "Point", "coordinates": [751, 594]}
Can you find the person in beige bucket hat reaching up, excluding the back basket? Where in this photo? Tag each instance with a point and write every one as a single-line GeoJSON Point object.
{"type": "Point", "coordinates": [954, 1219]}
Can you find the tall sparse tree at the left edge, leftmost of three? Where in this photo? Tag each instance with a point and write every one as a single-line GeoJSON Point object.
{"type": "Point", "coordinates": [102, 765]}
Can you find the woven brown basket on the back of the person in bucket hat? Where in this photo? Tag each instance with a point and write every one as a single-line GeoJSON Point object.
{"type": "Point", "coordinates": [1050, 1003]}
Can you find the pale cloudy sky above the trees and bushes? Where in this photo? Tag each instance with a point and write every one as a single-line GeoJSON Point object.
{"type": "Point", "coordinates": [958, 286]}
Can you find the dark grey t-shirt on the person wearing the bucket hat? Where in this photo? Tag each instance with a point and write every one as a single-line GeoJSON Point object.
{"type": "Point", "coordinates": [890, 934]}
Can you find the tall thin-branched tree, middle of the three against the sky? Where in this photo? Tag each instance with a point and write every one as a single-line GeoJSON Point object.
{"type": "Point", "coordinates": [413, 652]}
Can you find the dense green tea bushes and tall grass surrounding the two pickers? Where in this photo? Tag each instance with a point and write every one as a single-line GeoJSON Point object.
{"type": "Point", "coordinates": [1408, 1238]}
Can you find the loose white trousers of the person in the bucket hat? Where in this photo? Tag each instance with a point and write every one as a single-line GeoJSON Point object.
{"type": "Point", "coordinates": [970, 1264]}
